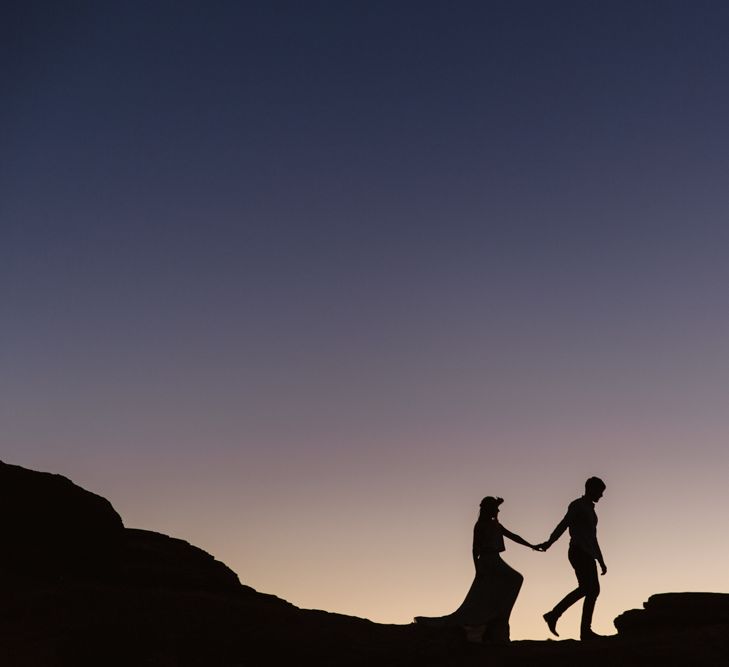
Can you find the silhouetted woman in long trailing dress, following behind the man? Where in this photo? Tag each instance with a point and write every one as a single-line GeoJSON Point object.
{"type": "Point", "coordinates": [485, 611]}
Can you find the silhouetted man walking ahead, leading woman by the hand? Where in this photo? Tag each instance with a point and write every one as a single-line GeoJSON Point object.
{"type": "Point", "coordinates": [584, 552]}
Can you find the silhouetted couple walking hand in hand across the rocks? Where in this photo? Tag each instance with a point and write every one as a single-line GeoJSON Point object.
{"type": "Point", "coordinates": [486, 610]}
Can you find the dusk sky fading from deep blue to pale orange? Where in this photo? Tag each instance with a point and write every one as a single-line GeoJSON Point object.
{"type": "Point", "coordinates": [300, 282]}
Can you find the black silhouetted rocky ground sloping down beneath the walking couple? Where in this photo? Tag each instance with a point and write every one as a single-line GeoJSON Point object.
{"type": "Point", "coordinates": [80, 589]}
